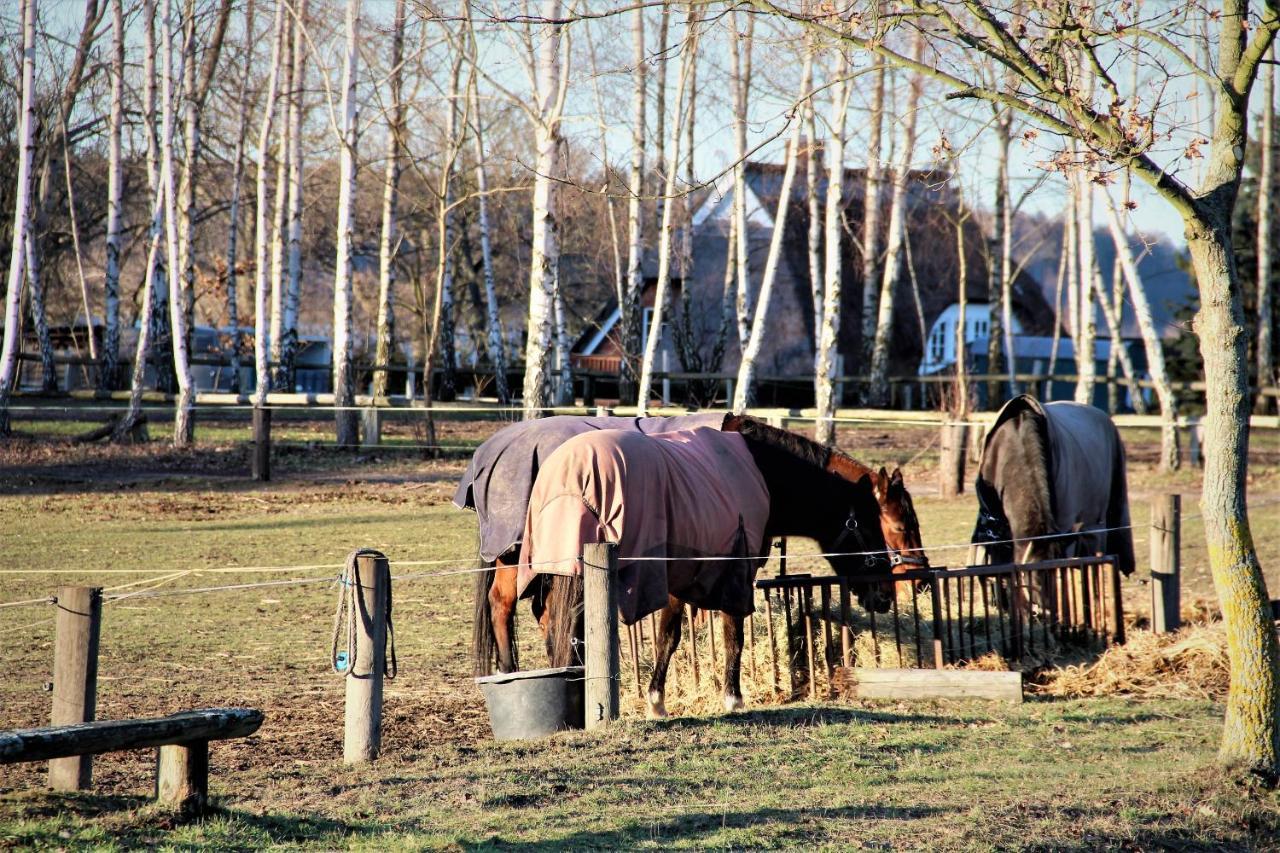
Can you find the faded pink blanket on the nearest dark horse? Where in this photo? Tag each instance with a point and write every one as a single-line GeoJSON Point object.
{"type": "Point", "coordinates": [665, 499]}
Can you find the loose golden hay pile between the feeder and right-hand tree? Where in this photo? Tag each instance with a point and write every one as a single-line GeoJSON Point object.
{"type": "Point", "coordinates": [1191, 664]}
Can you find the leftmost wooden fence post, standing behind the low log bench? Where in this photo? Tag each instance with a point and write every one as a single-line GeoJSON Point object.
{"type": "Point", "coordinates": [79, 626]}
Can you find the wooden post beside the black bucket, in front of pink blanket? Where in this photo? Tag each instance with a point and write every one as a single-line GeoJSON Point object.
{"type": "Point", "coordinates": [601, 612]}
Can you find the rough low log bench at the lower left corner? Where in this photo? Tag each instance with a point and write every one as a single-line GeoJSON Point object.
{"type": "Point", "coordinates": [182, 760]}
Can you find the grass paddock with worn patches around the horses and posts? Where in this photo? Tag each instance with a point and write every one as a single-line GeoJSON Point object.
{"type": "Point", "coordinates": [1095, 774]}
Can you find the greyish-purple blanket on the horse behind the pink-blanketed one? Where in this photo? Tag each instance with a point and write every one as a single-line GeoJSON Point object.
{"type": "Point", "coordinates": [501, 477]}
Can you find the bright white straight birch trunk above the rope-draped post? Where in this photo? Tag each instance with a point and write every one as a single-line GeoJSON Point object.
{"type": "Point", "coordinates": [344, 373]}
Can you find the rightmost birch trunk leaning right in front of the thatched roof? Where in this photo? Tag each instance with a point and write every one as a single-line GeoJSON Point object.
{"type": "Point", "coordinates": [895, 250]}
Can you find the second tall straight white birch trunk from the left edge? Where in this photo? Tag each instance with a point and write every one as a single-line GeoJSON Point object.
{"type": "Point", "coordinates": [109, 367]}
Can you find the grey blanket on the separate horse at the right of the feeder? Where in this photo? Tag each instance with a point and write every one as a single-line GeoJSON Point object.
{"type": "Point", "coordinates": [1089, 486]}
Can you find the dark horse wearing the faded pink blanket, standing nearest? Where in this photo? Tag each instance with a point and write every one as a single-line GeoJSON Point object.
{"type": "Point", "coordinates": [678, 504]}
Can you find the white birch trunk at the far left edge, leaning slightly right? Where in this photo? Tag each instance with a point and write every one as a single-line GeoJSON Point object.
{"type": "Point", "coordinates": [10, 367]}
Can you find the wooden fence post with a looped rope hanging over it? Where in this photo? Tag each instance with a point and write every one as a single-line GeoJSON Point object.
{"type": "Point", "coordinates": [363, 737]}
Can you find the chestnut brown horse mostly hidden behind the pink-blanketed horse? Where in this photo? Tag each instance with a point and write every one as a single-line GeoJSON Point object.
{"type": "Point", "coordinates": [496, 590]}
